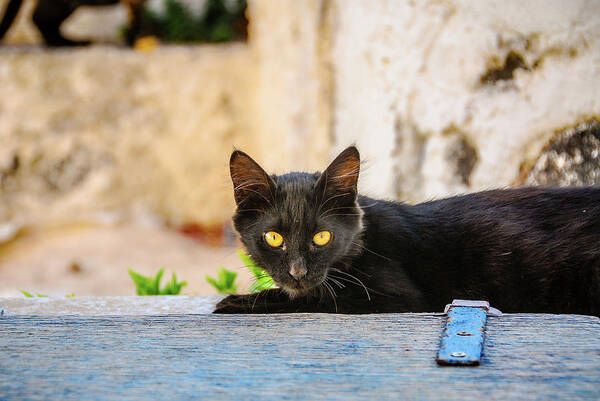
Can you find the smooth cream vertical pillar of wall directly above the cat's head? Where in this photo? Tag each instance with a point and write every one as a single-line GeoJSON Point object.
{"type": "Point", "coordinates": [287, 39]}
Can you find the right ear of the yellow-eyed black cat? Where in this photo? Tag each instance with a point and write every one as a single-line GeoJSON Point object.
{"type": "Point", "coordinates": [340, 179]}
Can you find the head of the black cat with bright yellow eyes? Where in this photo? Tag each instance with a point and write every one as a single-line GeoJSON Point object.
{"type": "Point", "coordinates": [298, 226]}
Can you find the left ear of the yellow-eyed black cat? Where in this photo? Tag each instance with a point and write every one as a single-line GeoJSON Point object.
{"type": "Point", "coordinates": [252, 186]}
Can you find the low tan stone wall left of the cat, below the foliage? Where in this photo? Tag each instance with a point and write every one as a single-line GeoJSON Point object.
{"type": "Point", "coordinates": [107, 133]}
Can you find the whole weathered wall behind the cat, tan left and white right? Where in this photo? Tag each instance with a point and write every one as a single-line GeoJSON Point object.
{"type": "Point", "coordinates": [441, 97]}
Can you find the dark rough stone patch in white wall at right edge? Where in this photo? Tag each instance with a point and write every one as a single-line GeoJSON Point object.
{"type": "Point", "coordinates": [571, 158]}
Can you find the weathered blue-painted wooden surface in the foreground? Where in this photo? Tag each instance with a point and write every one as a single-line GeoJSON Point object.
{"type": "Point", "coordinates": [303, 356]}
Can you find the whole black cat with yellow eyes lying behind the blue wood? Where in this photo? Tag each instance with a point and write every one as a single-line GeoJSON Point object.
{"type": "Point", "coordinates": [332, 250]}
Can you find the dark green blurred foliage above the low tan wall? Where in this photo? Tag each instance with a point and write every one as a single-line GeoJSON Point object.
{"type": "Point", "coordinates": [221, 21]}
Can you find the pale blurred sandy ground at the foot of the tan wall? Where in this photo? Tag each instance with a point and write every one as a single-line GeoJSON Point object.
{"type": "Point", "coordinates": [92, 260]}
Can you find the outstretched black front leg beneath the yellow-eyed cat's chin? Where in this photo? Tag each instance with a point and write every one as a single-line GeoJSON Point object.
{"type": "Point", "coordinates": [268, 301]}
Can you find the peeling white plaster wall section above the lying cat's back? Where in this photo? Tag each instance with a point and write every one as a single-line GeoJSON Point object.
{"type": "Point", "coordinates": [407, 87]}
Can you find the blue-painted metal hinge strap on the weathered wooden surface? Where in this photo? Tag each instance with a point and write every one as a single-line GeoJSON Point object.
{"type": "Point", "coordinates": [463, 336]}
